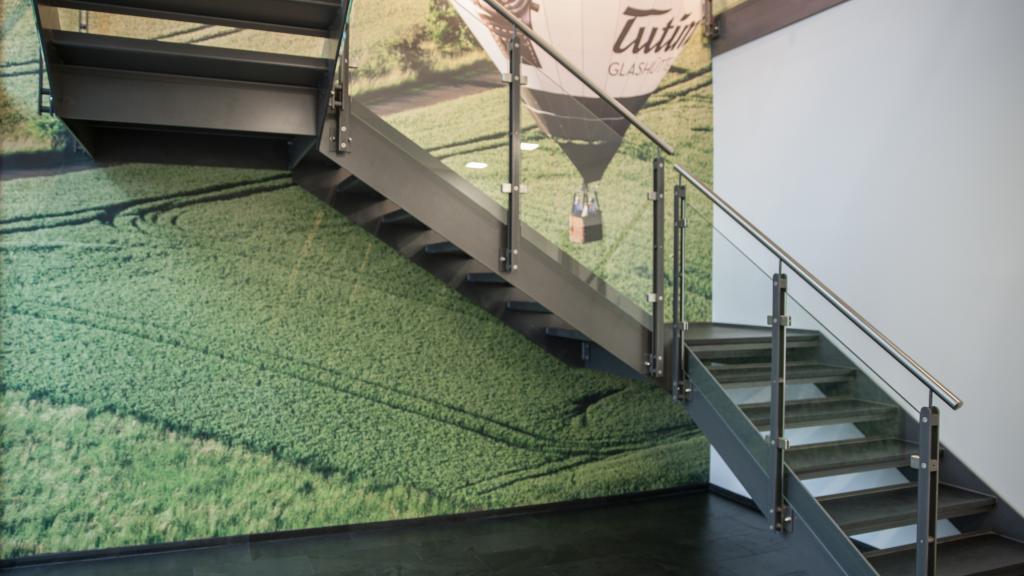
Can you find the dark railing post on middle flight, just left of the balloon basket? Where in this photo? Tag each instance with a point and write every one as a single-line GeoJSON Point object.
{"type": "Point", "coordinates": [515, 187]}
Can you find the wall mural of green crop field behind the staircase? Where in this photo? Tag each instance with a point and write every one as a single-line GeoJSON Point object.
{"type": "Point", "coordinates": [196, 352]}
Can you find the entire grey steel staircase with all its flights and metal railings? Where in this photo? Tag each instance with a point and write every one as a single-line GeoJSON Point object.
{"type": "Point", "coordinates": [139, 100]}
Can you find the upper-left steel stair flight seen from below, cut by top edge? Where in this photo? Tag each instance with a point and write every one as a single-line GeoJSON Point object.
{"type": "Point", "coordinates": [137, 99]}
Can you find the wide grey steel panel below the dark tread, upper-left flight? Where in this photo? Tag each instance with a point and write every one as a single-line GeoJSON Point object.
{"type": "Point", "coordinates": [175, 102]}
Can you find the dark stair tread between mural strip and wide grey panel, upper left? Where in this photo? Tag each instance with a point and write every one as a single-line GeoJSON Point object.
{"type": "Point", "coordinates": [135, 55]}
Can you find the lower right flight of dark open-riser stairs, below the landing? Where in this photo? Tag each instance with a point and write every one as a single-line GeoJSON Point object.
{"type": "Point", "coordinates": [730, 369]}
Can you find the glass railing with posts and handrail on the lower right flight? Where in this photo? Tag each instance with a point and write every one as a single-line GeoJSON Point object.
{"type": "Point", "coordinates": [850, 401]}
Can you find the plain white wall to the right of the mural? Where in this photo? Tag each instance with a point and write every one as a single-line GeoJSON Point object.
{"type": "Point", "coordinates": [882, 144]}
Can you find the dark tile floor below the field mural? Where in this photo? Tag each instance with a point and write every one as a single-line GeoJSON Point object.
{"type": "Point", "coordinates": [694, 533]}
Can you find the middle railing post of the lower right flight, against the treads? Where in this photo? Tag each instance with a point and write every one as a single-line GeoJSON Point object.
{"type": "Point", "coordinates": [780, 516]}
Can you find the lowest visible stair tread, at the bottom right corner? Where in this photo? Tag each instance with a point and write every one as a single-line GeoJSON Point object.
{"type": "Point", "coordinates": [966, 555]}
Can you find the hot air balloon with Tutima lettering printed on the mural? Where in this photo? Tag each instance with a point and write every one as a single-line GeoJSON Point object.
{"type": "Point", "coordinates": [626, 47]}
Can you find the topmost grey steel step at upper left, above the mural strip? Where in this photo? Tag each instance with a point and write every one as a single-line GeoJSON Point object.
{"type": "Point", "coordinates": [310, 18]}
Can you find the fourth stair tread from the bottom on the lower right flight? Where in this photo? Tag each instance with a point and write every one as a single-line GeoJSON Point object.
{"type": "Point", "coordinates": [817, 413]}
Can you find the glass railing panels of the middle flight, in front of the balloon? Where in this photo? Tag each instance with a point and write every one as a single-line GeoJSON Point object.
{"type": "Point", "coordinates": [440, 74]}
